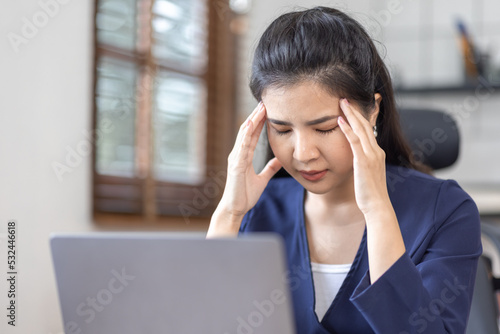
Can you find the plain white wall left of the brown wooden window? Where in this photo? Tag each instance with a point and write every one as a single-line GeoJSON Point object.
{"type": "Point", "coordinates": [44, 107]}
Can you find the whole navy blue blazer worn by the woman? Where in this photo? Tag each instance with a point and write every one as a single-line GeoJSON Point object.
{"type": "Point", "coordinates": [428, 290]}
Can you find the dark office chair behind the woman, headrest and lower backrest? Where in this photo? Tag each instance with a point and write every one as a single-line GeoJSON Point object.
{"type": "Point", "coordinates": [434, 139]}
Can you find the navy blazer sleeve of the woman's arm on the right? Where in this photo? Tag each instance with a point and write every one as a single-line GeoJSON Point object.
{"type": "Point", "coordinates": [433, 295]}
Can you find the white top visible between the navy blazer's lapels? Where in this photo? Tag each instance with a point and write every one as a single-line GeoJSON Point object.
{"type": "Point", "coordinates": [328, 279]}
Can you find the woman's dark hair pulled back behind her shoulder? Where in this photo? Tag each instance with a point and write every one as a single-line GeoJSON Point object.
{"type": "Point", "coordinates": [326, 46]}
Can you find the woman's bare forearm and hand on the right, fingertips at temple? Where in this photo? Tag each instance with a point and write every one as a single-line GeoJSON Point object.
{"type": "Point", "coordinates": [385, 242]}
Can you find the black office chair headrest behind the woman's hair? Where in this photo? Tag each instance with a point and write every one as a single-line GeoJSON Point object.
{"type": "Point", "coordinates": [433, 136]}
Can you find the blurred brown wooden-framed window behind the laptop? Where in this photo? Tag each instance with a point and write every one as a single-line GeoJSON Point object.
{"type": "Point", "coordinates": [163, 101]}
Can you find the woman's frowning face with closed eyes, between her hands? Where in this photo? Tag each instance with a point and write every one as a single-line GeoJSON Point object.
{"type": "Point", "coordinates": [304, 135]}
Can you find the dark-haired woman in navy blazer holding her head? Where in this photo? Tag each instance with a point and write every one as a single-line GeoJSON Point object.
{"type": "Point", "coordinates": [385, 247]}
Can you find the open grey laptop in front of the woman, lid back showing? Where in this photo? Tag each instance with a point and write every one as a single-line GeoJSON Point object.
{"type": "Point", "coordinates": [141, 283]}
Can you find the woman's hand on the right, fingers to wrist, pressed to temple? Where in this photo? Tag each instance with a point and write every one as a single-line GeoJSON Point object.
{"type": "Point", "coordinates": [369, 160]}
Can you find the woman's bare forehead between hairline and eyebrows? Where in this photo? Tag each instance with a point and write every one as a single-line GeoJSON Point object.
{"type": "Point", "coordinates": [300, 100]}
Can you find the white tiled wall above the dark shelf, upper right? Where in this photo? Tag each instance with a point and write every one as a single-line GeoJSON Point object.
{"type": "Point", "coordinates": [421, 38]}
